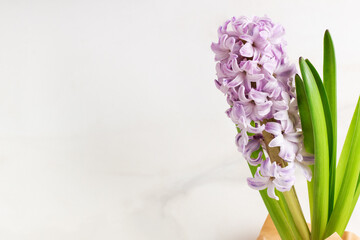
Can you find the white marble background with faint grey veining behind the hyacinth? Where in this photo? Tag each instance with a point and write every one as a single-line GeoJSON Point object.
{"type": "Point", "coordinates": [111, 127]}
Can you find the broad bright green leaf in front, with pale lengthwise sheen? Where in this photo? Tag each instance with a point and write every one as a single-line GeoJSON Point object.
{"type": "Point", "coordinates": [321, 166]}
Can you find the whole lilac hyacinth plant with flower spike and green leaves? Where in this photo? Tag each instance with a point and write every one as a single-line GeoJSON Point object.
{"type": "Point", "coordinates": [285, 122]}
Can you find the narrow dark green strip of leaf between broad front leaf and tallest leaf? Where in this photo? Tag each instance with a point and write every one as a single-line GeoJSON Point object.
{"type": "Point", "coordinates": [330, 131]}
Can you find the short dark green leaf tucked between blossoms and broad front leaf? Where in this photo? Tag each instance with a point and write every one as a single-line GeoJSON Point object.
{"type": "Point", "coordinates": [307, 130]}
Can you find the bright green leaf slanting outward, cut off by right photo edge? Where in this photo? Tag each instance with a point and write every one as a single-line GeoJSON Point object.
{"type": "Point", "coordinates": [340, 216]}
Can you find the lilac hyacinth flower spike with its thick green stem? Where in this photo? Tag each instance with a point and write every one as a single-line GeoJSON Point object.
{"type": "Point", "coordinates": [254, 73]}
